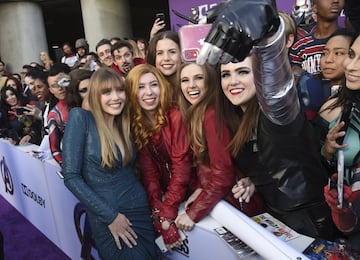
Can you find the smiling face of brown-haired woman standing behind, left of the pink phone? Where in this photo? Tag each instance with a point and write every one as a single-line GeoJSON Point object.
{"type": "Point", "coordinates": [168, 57]}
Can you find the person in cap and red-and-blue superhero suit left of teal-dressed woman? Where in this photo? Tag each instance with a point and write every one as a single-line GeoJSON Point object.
{"type": "Point", "coordinates": [58, 79]}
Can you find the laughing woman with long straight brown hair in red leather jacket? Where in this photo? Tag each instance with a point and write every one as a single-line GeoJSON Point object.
{"type": "Point", "coordinates": [209, 138]}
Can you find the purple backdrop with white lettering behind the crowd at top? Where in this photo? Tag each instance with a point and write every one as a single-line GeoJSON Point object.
{"type": "Point", "coordinates": [201, 6]}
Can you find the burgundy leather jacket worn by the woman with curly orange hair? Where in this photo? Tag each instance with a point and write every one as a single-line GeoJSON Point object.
{"type": "Point", "coordinates": [166, 166]}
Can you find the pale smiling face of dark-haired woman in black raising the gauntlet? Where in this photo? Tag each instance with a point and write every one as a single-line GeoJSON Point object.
{"type": "Point", "coordinates": [237, 82]}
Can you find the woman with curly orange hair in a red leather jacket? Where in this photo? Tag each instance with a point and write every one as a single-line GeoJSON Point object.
{"type": "Point", "coordinates": [163, 151]}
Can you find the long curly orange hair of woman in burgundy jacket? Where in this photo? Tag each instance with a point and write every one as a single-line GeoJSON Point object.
{"type": "Point", "coordinates": [141, 125]}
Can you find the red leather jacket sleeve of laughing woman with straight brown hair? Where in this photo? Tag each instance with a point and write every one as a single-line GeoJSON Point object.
{"type": "Point", "coordinates": [218, 177]}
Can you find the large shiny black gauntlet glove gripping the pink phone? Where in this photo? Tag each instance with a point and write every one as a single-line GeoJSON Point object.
{"type": "Point", "coordinates": [238, 25]}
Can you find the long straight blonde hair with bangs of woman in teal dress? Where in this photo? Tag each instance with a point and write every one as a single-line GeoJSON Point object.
{"type": "Point", "coordinates": [101, 81]}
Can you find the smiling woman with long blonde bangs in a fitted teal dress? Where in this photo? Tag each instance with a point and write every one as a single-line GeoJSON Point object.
{"type": "Point", "coordinates": [98, 160]}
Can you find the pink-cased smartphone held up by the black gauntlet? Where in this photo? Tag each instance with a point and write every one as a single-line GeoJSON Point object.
{"type": "Point", "coordinates": [192, 38]}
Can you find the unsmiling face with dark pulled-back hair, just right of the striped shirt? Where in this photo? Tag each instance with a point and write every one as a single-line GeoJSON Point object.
{"type": "Point", "coordinates": [334, 54]}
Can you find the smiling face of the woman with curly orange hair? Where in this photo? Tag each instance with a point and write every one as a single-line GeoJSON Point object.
{"type": "Point", "coordinates": [149, 92]}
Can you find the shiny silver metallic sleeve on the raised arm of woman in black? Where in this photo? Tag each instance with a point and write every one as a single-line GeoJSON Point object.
{"type": "Point", "coordinates": [274, 82]}
